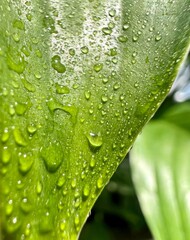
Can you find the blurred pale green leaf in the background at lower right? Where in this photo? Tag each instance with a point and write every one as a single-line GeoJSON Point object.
{"type": "Point", "coordinates": [160, 169]}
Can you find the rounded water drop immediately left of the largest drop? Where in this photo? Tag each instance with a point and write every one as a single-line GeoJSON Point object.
{"type": "Point", "coordinates": [25, 163]}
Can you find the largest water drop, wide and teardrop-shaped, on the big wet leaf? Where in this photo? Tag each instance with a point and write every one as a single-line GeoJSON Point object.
{"type": "Point", "coordinates": [52, 155]}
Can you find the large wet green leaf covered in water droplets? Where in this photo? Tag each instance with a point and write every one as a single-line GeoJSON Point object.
{"type": "Point", "coordinates": [78, 81]}
